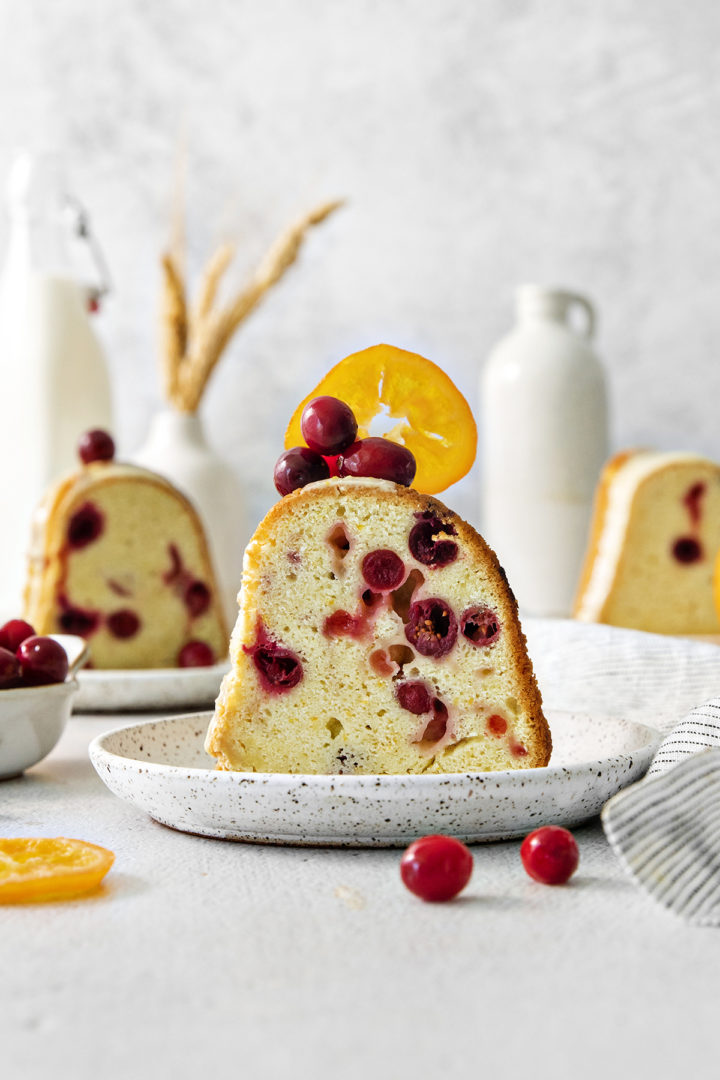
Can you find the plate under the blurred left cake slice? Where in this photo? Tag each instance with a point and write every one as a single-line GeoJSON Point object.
{"type": "Point", "coordinates": [119, 692]}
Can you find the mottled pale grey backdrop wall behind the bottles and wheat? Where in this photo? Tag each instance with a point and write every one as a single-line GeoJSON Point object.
{"type": "Point", "coordinates": [480, 144]}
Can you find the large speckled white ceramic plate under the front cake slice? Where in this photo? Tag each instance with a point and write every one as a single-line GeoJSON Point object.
{"type": "Point", "coordinates": [162, 768]}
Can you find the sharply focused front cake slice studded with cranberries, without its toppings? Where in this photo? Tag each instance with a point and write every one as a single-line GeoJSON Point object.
{"type": "Point", "coordinates": [377, 634]}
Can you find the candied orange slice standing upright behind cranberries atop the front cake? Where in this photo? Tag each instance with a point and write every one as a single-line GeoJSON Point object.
{"type": "Point", "coordinates": [422, 408]}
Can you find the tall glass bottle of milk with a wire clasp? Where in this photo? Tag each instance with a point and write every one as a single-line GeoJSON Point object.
{"type": "Point", "coordinates": [52, 370]}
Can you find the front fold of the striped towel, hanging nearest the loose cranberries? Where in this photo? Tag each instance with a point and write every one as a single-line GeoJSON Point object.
{"type": "Point", "coordinates": [667, 829]}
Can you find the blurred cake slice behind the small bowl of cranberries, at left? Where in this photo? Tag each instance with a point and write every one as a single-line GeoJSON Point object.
{"type": "Point", "coordinates": [119, 557]}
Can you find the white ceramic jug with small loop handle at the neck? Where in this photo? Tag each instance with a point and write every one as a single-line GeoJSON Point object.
{"type": "Point", "coordinates": [545, 431]}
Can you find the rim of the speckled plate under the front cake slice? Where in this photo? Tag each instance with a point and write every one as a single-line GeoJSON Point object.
{"type": "Point", "coordinates": [97, 750]}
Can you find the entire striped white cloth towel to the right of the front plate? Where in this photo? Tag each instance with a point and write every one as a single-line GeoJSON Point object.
{"type": "Point", "coordinates": [667, 829]}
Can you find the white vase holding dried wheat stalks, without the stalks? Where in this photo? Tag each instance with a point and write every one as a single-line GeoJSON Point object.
{"type": "Point", "coordinates": [176, 448]}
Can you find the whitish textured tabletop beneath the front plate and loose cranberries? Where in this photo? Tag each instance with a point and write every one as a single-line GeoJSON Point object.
{"type": "Point", "coordinates": [210, 958]}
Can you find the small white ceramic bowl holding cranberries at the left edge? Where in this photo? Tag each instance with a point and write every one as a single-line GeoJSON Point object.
{"type": "Point", "coordinates": [33, 718]}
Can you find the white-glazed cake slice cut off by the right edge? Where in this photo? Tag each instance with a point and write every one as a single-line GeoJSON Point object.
{"type": "Point", "coordinates": [655, 537]}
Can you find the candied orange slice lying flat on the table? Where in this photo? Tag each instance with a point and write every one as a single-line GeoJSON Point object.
{"type": "Point", "coordinates": [43, 869]}
